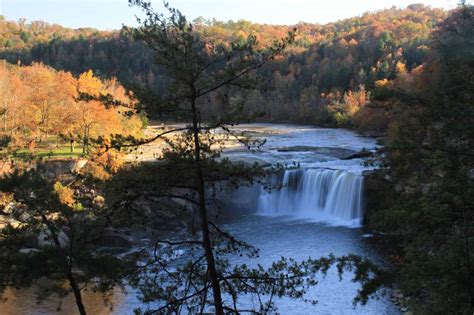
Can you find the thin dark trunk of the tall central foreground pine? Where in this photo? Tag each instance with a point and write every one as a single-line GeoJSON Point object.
{"type": "Point", "coordinates": [211, 265]}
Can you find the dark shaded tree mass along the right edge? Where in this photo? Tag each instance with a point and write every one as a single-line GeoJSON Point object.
{"type": "Point", "coordinates": [431, 159]}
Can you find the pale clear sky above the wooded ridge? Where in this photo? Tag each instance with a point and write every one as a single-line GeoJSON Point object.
{"type": "Point", "coordinates": [112, 14]}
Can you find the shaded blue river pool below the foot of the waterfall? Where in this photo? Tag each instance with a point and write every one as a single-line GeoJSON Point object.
{"type": "Point", "coordinates": [276, 237]}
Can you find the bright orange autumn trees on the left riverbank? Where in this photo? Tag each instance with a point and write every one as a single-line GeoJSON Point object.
{"type": "Point", "coordinates": [38, 102]}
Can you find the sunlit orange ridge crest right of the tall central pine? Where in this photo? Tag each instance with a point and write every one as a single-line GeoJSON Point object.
{"type": "Point", "coordinates": [404, 25]}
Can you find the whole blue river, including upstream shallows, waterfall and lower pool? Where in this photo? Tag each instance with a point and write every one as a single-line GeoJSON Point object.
{"type": "Point", "coordinates": [317, 210]}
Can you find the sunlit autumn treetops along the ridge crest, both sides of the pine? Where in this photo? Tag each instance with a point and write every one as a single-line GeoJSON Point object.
{"type": "Point", "coordinates": [410, 24]}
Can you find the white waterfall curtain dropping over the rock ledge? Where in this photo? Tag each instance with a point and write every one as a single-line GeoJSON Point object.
{"type": "Point", "coordinates": [333, 196]}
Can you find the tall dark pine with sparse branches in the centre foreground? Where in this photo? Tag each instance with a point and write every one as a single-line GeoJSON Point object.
{"type": "Point", "coordinates": [192, 167]}
